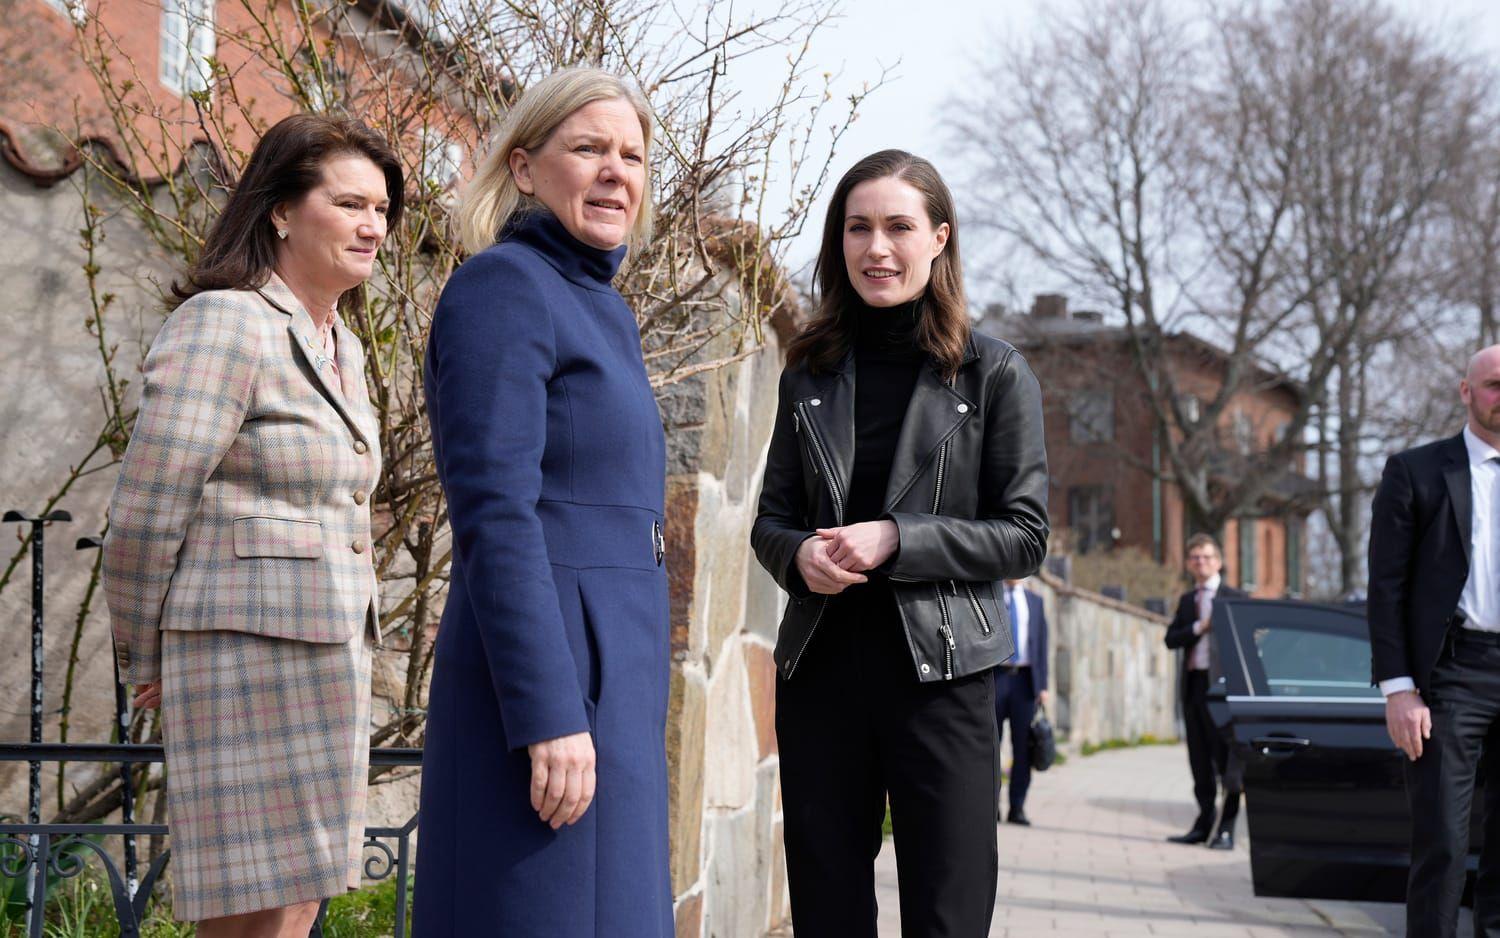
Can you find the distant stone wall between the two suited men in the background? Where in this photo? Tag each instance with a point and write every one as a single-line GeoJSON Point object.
{"type": "Point", "coordinates": [1112, 678]}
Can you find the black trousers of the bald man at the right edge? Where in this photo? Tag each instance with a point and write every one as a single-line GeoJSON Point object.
{"type": "Point", "coordinates": [1465, 700]}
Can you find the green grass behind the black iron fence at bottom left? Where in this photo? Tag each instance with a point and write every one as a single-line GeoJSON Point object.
{"type": "Point", "coordinates": [82, 909]}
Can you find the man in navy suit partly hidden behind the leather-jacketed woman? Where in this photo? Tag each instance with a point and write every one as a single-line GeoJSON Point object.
{"type": "Point", "coordinates": [1021, 687]}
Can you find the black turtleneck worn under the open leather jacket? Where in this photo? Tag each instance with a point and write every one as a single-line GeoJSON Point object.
{"type": "Point", "coordinates": [887, 362]}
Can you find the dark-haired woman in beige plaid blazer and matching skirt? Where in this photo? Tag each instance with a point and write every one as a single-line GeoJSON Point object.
{"type": "Point", "coordinates": [238, 564]}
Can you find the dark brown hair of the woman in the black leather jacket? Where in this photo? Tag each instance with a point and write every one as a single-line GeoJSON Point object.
{"type": "Point", "coordinates": [944, 326]}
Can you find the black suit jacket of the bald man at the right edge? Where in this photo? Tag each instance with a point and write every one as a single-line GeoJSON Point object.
{"type": "Point", "coordinates": [1420, 532]}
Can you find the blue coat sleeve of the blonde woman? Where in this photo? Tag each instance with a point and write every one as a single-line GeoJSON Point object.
{"type": "Point", "coordinates": [493, 352]}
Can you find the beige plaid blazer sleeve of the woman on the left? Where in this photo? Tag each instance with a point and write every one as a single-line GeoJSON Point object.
{"type": "Point", "coordinates": [199, 380]}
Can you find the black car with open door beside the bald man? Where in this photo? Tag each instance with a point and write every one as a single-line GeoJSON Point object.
{"type": "Point", "coordinates": [1324, 786]}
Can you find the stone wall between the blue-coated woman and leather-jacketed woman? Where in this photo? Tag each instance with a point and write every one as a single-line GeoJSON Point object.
{"type": "Point", "coordinates": [728, 868]}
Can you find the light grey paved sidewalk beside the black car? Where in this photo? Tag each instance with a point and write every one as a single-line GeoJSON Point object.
{"type": "Point", "coordinates": [1096, 864]}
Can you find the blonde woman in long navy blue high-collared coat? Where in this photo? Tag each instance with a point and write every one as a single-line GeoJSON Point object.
{"type": "Point", "coordinates": [544, 793]}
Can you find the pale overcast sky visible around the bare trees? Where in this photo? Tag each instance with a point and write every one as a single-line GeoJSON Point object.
{"type": "Point", "coordinates": [937, 43]}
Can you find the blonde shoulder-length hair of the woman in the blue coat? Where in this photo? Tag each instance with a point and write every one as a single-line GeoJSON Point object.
{"type": "Point", "coordinates": [493, 199]}
